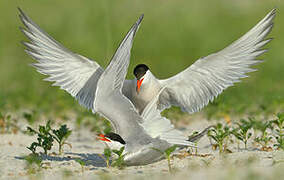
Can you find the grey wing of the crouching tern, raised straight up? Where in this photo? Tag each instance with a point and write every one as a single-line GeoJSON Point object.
{"type": "Point", "coordinates": [110, 102]}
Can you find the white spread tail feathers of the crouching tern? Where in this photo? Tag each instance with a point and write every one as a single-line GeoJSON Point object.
{"type": "Point", "coordinates": [157, 126]}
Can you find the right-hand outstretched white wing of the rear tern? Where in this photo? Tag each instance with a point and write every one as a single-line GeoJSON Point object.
{"type": "Point", "coordinates": [200, 83]}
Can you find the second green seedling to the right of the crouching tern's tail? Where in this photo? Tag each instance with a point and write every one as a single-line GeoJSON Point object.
{"type": "Point", "coordinates": [242, 131]}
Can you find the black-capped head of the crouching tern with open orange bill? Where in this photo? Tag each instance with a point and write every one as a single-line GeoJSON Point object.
{"type": "Point", "coordinates": [112, 140]}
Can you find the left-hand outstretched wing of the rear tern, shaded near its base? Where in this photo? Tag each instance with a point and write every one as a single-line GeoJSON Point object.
{"type": "Point", "coordinates": [74, 73]}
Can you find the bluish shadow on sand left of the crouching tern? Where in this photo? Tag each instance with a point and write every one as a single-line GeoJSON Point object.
{"type": "Point", "coordinates": [95, 160]}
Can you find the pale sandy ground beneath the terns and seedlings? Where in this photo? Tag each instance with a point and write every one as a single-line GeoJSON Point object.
{"type": "Point", "coordinates": [241, 164]}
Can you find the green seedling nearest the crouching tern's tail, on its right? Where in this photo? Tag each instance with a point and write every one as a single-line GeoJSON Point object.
{"type": "Point", "coordinates": [219, 133]}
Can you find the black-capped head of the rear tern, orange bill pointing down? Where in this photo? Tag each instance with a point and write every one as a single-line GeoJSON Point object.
{"type": "Point", "coordinates": [141, 72]}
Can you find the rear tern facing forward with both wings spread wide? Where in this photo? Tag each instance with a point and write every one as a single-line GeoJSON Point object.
{"type": "Point", "coordinates": [191, 89]}
